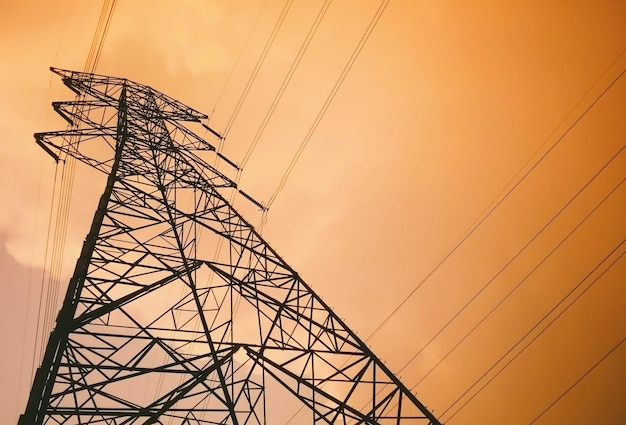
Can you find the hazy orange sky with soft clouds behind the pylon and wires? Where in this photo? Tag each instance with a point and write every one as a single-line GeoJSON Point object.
{"type": "Point", "coordinates": [447, 107]}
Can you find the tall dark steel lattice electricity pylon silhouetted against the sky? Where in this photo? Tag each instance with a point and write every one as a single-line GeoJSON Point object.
{"type": "Point", "coordinates": [158, 326]}
